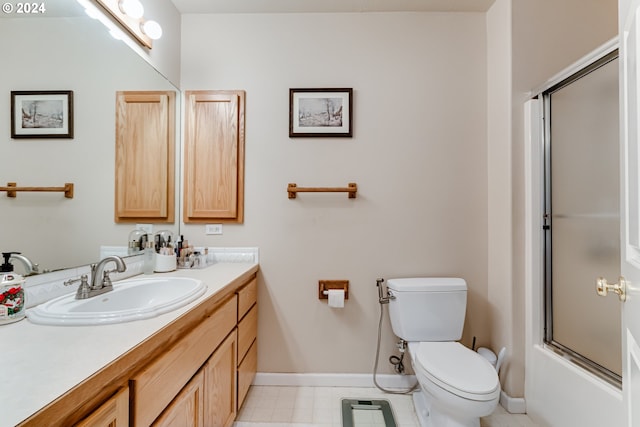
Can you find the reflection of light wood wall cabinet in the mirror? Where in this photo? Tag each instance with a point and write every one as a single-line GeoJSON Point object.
{"type": "Point", "coordinates": [145, 153]}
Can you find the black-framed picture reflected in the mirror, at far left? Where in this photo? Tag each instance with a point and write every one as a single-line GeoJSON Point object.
{"type": "Point", "coordinates": [42, 114]}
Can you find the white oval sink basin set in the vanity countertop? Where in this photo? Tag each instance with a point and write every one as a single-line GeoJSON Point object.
{"type": "Point", "coordinates": [131, 299]}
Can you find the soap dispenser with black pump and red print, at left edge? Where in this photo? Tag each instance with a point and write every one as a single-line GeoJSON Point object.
{"type": "Point", "coordinates": [12, 300]}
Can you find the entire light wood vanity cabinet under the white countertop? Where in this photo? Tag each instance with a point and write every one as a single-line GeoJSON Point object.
{"type": "Point", "coordinates": [194, 372]}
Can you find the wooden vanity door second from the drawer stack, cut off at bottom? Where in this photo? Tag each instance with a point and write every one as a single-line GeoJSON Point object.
{"type": "Point", "coordinates": [186, 410]}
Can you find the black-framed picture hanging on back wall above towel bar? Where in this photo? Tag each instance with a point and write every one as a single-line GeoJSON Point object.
{"type": "Point", "coordinates": [325, 112]}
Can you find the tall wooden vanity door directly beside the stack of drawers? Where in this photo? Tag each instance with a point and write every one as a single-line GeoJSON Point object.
{"type": "Point", "coordinates": [220, 384]}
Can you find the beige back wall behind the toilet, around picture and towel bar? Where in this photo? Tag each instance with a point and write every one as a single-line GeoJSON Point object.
{"type": "Point", "coordinates": [418, 156]}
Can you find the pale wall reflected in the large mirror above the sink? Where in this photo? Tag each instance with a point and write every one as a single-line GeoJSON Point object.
{"type": "Point", "coordinates": [65, 49]}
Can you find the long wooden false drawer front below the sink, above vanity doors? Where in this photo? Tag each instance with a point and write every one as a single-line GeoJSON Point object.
{"type": "Point", "coordinates": [161, 380]}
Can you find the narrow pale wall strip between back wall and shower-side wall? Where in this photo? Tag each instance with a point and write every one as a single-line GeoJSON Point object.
{"type": "Point", "coordinates": [500, 291]}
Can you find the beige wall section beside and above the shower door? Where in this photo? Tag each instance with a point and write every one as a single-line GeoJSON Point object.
{"type": "Point", "coordinates": [528, 42]}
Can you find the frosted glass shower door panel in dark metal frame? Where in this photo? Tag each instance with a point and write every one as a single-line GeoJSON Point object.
{"type": "Point", "coordinates": [582, 217]}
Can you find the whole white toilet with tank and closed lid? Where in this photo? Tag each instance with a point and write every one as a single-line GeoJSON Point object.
{"type": "Point", "coordinates": [457, 385]}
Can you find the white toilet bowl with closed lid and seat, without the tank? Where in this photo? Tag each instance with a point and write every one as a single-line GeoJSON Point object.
{"type": "Point", "coordinates": [457, 385]}
